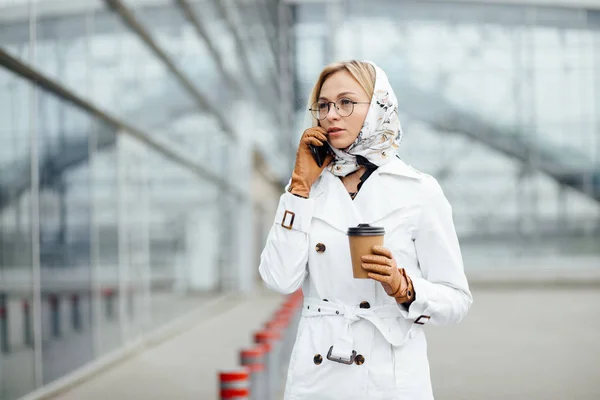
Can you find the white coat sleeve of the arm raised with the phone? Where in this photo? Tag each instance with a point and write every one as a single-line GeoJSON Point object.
{"type": "Point", "coordinates": [283, 262]}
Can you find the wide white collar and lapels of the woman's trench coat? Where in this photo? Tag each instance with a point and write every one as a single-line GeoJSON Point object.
{"type": "Point", "coordinates": [381, 195]}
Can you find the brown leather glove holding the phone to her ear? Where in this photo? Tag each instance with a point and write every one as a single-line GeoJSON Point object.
{"type": "Point", "coordinates": [306, 170]}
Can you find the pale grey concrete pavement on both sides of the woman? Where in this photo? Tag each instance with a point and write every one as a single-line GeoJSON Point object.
{"type": "Point", "coordinates": [523, 344]}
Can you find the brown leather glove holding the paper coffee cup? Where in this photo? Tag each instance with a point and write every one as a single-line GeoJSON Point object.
{"type": "Point", "coordinates": [382, 268]}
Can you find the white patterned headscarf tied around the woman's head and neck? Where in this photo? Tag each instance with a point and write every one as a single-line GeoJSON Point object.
{"type": "Point", "coordinates": [381, 134]}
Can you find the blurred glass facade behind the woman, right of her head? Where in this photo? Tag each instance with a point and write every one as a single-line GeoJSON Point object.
{"type": "Point", "coordinates": [520, 99]}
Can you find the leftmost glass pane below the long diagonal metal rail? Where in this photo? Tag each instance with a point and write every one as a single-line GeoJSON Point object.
{"type": "Point", "coordinates": [16, 290]}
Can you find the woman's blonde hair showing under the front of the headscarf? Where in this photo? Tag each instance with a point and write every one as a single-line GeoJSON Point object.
{"type": "Point", "coordinates": [363, 72]}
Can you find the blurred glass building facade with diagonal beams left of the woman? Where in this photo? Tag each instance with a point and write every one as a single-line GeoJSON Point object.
{"type": "Point", "coordinates": [128, 136]}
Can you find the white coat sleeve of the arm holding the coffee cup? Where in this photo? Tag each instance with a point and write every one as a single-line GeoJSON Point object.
{"type": "Point", "coordinates": [442, 294]}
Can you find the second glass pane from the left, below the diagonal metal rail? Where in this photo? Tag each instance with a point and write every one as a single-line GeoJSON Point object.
{"type": "Point", "coordinates": [65, 216]}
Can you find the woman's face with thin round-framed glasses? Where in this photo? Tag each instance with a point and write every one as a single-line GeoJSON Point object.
{"type": "Point", "coordinates": [343, 131]}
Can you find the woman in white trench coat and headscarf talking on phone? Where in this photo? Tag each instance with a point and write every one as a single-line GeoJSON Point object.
{"type": "Point", "coordinates": [362, 338]}
